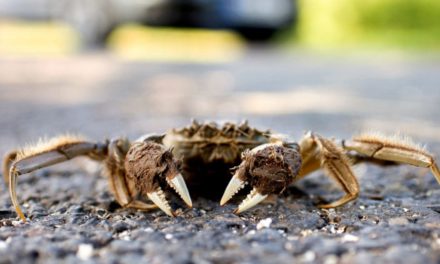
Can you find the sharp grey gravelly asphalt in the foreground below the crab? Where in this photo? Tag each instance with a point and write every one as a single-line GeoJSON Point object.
{"type": "Point", "coordinates": [73, 217]}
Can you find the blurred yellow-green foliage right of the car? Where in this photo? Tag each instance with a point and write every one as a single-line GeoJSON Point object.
{"type": "Point", "coordinates": [408, 24]}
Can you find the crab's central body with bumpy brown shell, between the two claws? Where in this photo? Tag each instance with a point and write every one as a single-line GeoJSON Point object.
{"type": "Point", "coordinates": [209, 151]}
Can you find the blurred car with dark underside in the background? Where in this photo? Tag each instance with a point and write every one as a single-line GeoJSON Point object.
{"type": "Point", "coordinates": [256, 20]}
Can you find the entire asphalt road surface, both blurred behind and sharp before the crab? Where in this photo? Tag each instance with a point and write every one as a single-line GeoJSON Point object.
{"type": "Point", "coordinates": [74, 217]}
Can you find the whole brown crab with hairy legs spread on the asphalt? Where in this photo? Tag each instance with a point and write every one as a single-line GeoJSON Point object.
{"type": "Point", "coordinates": [210, 156]}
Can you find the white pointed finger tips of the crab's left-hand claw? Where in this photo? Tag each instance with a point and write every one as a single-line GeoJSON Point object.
{"type": "Point", "coordinates": [178, 184]}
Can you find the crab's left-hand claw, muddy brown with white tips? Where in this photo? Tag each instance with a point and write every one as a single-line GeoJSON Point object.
{"type": "Point", "coordinates": [152, 167]}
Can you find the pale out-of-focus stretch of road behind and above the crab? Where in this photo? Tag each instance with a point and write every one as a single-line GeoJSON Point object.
{"type": "Point", "coordinates": [100, 95]}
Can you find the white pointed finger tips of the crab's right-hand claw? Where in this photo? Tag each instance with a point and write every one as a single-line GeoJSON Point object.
{"type": "Point", "coordinates": [253, 198]}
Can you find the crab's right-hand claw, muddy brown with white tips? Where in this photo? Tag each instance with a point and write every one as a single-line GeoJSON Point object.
{"type": "Point", "coordinates": [269, 169]}
